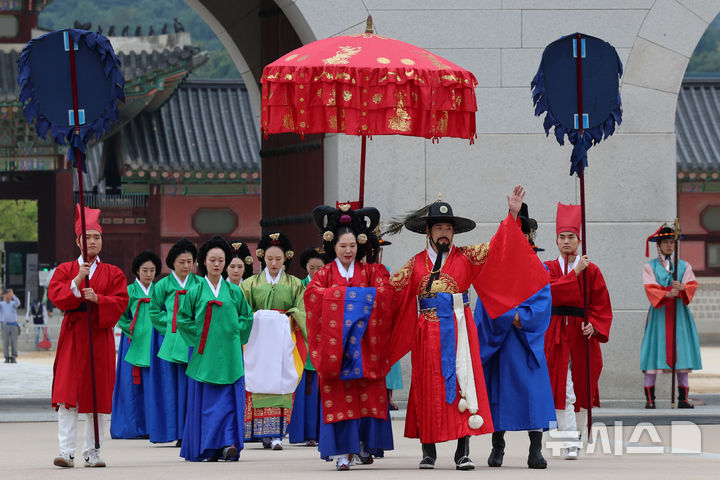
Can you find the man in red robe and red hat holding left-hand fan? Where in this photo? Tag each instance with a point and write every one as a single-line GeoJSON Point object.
{"type": "Point", "coordinates": [107, 299]}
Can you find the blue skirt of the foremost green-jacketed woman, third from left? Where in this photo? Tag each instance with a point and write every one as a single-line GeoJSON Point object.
{"type": "Point", "coordinates": [215, 419]}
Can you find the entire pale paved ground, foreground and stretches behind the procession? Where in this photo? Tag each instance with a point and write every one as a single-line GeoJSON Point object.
{"type": "Point", "coordinates": [28, 432]}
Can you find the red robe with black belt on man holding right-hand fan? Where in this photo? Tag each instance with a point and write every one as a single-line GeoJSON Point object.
{"type": "Point", "coordinates": [564, 341]}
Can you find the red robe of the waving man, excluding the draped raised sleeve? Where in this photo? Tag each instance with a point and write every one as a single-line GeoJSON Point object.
{"type": "Point", "coordinates": [429, 417]}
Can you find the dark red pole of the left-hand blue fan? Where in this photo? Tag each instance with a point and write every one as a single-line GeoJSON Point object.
{"type": "Point", "coordinates": [81, 195]}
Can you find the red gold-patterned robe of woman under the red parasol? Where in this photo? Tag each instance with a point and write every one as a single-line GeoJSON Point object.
{"type": "Point", "coordinates": [362, 397]}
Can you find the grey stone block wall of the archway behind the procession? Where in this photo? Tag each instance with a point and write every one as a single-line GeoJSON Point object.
{"type": "Point", "coordinates": [633, 174]}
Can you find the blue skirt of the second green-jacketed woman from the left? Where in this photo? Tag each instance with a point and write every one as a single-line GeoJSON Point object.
{"type": "Point", "coordinates": [167, 390]}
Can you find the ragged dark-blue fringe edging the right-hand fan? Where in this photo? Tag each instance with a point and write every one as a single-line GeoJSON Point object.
{"type": "Point", "coordinates": [591, 136]}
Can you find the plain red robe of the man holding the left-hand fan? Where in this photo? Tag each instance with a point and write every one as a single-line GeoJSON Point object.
{"type": "Point", "coordinates": [71, 373]}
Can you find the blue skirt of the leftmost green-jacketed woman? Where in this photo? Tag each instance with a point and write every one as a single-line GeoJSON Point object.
{"type": "Point", "coordinates": [128, 410]}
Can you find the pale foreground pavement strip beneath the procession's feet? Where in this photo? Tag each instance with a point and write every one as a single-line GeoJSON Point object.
{"type": "Point", "coordinates": [28, 449]}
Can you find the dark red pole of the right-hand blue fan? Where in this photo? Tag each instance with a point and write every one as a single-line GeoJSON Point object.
{"type": "Point", "coordinates": [581, 124]}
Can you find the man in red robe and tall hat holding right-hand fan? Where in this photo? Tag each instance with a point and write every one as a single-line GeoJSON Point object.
{"type": "Point", "coordinates": [565, 338]}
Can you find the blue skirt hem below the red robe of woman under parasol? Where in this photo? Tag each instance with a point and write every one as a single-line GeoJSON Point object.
{"type": "Point", "coordinates": [344, 437]}
